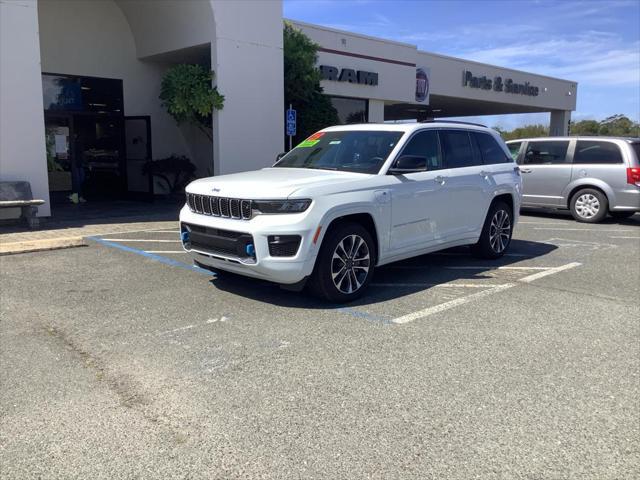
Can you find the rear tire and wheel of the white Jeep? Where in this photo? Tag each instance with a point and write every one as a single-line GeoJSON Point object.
{"type": "Point", "coordinates": [496, 232]}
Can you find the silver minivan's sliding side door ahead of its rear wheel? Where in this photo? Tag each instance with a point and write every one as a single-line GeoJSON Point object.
{"type": "Point", "coordinates": [546, 171]}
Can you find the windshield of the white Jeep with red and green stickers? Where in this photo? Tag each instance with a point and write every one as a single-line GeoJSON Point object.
{"type": "Point", "coordinates": [349, 151]}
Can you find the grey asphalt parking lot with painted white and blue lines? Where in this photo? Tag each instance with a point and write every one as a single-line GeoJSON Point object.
{"type": "Point", "coordinates": [121, 360]}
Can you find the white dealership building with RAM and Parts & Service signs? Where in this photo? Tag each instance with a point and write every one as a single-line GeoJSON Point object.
{"type": "Point", "coordinates": [80, 81]}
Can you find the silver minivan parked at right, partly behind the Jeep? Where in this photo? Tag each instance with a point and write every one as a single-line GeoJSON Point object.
{"type": "Point", "coordinates": [591, 176]}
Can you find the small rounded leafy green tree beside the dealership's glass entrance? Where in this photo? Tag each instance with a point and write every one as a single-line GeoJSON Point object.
{"type": "Point", "coordinates": [189, 97]}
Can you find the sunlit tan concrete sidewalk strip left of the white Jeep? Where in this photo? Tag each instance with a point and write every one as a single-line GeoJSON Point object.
{"type": "Point", "coordinates": [58, 236]}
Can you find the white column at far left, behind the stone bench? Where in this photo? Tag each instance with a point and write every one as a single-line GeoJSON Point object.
{"type": "Point", "coordinates": [22, 144]}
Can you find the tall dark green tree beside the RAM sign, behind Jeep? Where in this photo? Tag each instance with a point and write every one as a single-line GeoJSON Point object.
{"type": "Point", "coordinates": [302, 84]}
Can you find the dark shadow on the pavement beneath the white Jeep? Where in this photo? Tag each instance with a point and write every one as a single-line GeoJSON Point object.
{"type": "Point", "coordinates": [418, 274]}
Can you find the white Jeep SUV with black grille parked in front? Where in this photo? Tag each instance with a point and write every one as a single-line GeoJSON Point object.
{"type": "Point", "coordinates": [350, 198]}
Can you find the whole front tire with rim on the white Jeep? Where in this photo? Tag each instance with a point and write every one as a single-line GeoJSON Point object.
{"type": "Point", "coordinates": [342, 273]}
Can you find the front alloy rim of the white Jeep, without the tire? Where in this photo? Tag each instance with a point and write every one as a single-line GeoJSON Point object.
{"type": "Point", "coordinates": [350, 264]}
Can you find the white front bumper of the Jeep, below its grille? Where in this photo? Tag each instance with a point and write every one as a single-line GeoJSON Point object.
{"type": "Point", "coordinates": [236, 258]}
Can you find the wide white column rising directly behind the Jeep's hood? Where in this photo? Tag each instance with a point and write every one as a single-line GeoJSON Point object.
{"type": "Point", "coordinates": [247, 59]}
